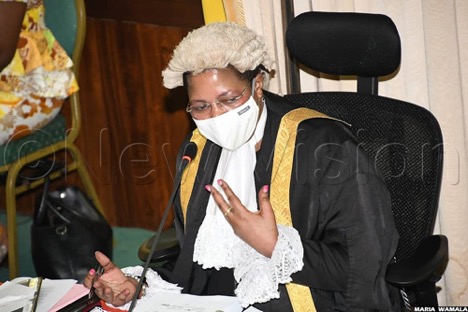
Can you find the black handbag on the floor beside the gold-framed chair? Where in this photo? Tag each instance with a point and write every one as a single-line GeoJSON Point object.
{"type": "Point", "coordinates": [66, 231]}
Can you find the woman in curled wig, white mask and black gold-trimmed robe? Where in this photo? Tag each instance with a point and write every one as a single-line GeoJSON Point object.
{"type": "Point", "coordinates": [273, 208]}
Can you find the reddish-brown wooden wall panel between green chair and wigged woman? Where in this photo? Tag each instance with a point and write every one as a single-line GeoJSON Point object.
{"type": "Point", "coordinates": [132, 125]}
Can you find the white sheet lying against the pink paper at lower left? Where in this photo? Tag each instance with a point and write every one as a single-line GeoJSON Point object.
{"type": "Point", "coordinates": [52, 291]}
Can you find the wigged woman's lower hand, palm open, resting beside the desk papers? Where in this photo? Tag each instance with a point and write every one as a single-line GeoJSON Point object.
{"type": "Point", "coordinates": [112, 286]}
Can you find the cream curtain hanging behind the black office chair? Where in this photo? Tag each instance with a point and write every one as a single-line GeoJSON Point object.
{"type": "Point", "coordinates": [434, 65]}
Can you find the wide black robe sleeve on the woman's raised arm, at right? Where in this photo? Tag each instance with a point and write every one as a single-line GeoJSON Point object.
{"type": "Point", "coordinates": [341, 208]}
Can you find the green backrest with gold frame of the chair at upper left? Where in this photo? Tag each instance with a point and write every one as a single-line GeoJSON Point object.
{"type": "Point", "coordinates": [67, 21]}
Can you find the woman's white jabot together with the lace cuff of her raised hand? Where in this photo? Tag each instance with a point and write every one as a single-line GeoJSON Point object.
{"type": "Point", "coordinates": [217, 246]}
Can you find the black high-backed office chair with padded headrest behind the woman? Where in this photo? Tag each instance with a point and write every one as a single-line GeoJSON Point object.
{"type": "Point", "coordinates": [404, 139]}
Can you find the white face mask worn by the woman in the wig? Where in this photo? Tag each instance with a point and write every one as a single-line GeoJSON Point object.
{"type": "Point", "coordinates": [232, 129]}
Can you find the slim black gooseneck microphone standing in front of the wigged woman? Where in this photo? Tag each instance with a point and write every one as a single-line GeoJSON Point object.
{"type": "Point", "coordinates": [190, 152]}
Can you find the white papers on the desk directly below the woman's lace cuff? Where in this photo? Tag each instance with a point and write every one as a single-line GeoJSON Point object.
{"type": "Point", "coordinates": [171, 302]}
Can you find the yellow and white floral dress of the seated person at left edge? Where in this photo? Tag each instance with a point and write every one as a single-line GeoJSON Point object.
{"type": "Point", "coordinates": [39, 78]}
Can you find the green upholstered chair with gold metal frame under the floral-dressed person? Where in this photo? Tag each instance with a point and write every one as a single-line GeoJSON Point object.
{"type": "Point", "coordinates": [67, 20]}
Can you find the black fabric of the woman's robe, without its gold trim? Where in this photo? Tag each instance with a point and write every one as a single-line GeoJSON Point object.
{"type": "Point", "coordinates": [339, 205]}
